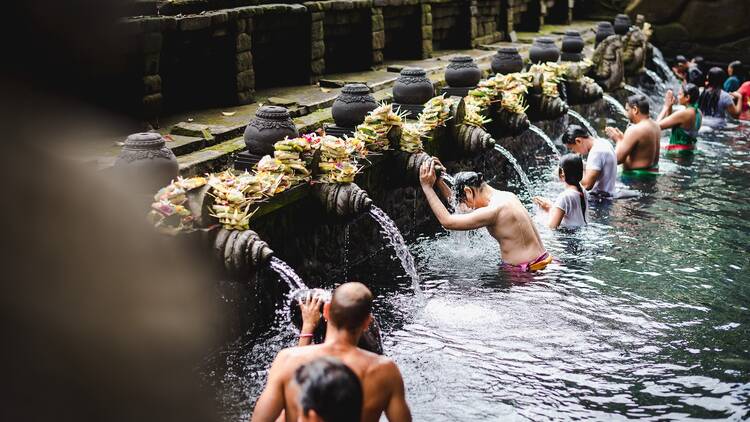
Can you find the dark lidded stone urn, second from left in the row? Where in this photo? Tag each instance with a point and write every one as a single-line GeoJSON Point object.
{"type": "Point", "coordinates": [270, 125]}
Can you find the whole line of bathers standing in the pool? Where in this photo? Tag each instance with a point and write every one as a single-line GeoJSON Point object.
{"type": "Point", "coordinates": [339, 380]}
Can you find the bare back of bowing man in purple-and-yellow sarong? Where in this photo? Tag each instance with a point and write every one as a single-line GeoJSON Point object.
{"type": "Point", "coordinates": [513, 229]}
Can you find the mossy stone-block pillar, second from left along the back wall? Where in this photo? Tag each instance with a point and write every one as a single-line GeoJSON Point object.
{"type": "Point", "coordinates": [242, 29]}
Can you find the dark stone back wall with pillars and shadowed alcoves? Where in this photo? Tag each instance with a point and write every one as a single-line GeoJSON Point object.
{"type": "Point", "coordinates": [189, 54]}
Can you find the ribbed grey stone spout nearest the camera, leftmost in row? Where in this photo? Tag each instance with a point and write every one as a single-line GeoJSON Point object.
{"type": "Point", "coordinates": [241, 252]}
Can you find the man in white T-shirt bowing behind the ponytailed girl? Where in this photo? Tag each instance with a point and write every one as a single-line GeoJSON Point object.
{"type": "Point", "coordinates": [601, 161]}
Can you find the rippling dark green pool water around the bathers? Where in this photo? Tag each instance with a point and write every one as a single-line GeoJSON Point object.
{"type": "Point", "coordinates": [644, 313]}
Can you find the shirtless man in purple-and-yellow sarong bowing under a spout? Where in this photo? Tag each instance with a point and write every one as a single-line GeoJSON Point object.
{"type": "Point", "coordinates": [500, 212]}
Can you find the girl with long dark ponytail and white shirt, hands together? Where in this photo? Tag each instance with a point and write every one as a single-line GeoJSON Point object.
{"type": "Point", "coordinates": [569, 209]}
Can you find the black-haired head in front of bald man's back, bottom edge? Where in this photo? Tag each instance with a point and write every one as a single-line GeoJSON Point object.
{"type": "Point", "coordinates": [330, 388]}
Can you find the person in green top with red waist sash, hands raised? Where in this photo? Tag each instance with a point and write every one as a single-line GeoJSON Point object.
{"type": "Point", "coordinates": [685, 123]}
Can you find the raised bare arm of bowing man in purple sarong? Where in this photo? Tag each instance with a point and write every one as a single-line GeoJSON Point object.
{"type": "Point", "coordinates": [473, 220]}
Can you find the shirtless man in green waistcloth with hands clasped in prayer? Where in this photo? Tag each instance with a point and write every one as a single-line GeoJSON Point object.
{"type": "Point", "coordinates": [638, 148]}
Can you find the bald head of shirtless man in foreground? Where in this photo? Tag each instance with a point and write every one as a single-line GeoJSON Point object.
{"type": "Point", "coordinates": [351, 305]}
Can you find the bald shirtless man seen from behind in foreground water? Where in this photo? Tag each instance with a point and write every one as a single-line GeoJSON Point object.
{"type": "Point", "coordinates": [348, 315]}
